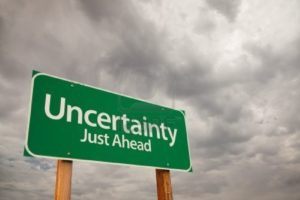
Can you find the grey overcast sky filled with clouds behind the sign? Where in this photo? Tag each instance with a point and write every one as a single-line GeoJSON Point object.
{"type": "Point", "coordinates": [232, 65]}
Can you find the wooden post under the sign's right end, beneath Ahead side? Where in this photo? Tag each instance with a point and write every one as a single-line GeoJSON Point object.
{"type": "Point", "coordinates": [163, 184]}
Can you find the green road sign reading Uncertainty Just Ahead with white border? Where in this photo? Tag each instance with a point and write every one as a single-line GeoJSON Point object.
{"type": "Point", "coordinates": [73, 121]}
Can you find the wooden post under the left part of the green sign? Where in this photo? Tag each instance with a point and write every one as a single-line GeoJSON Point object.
{"type": "Point", "coordinates": [63, 180]}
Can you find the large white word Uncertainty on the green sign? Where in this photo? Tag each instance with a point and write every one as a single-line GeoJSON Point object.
{"type": "Point", "coordinates": [110, 122]}
